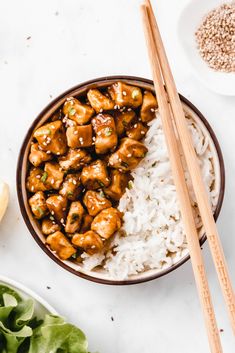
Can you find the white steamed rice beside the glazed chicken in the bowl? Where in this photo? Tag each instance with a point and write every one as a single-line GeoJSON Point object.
{"type": "Point", "coordinates": [152, 235]}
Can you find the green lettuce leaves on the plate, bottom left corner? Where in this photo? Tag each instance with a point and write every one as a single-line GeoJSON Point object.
{"type": "Point", "coordinates": [22, 332]}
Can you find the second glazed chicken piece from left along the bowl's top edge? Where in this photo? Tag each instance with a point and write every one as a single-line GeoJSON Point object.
{"type": "Point", "coordinates": [99, 101]}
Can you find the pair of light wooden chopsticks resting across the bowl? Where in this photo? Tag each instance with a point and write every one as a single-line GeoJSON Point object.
{"type": "Point", "coordinates": [173, 119]}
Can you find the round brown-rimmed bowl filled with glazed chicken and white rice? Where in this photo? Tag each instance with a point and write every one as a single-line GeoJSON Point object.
{"type": "Point", "coordinates": [102, 203]}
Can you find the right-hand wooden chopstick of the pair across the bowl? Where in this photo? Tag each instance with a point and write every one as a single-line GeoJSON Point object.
{"type": "Point", "coordinates": [194, 171]}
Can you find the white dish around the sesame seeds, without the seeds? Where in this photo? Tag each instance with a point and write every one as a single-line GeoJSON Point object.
{"type": "Point", "coordinates": [189, 21]}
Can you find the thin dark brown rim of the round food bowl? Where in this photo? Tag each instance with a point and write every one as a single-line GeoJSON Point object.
{"type": "Point", "coordinates": [23, 208]}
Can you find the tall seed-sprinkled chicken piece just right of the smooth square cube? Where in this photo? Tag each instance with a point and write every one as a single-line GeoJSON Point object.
{"type": "Point", "coordinates": [106, 136]}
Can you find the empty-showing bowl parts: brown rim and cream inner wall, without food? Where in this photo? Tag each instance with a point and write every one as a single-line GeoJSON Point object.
{"type": "Point", "coordinates": [22, 168]}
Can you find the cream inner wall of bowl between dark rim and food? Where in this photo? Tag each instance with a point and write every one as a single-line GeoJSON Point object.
{"type": "Point", "coordinates": [101, 274]}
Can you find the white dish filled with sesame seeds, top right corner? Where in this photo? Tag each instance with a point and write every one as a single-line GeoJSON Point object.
{"type": "Point", "coordinates": [206, 31]}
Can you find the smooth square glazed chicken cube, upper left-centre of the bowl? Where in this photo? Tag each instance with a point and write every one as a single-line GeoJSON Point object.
{"type": "Point", "coordinates": [79, 136]}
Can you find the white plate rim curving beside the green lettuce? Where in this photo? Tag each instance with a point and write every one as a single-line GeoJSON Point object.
{"type": "Point", "coordinates": [41, 306]}
